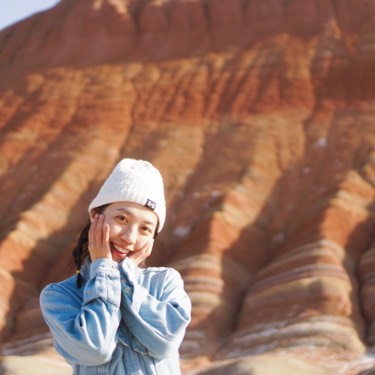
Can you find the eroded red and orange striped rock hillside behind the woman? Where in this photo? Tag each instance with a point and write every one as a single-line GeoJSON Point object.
{"type": "Point", "coordinates": [260, 116]}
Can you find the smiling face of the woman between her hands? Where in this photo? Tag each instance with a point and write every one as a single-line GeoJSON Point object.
{"type": "Point", "coordinates": [131, 226]}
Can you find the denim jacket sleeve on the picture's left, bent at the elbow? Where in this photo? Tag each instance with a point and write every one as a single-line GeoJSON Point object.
{"type": "Point", "coordinates": [85, 330]}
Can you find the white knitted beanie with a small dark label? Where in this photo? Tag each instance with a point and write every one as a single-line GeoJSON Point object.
{"type": "Point", "coordinates": [135, 181]}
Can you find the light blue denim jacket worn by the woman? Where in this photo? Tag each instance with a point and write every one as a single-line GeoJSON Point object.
{"type": "Point", "coordinates": [123, 320]}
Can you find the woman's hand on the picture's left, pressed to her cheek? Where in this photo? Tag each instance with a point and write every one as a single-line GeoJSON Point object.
{"type": "Point", "coordinates": [99, 239]}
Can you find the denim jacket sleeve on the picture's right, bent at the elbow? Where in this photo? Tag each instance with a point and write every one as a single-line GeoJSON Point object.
{"type": "Point", "coordinates": [158, 321]}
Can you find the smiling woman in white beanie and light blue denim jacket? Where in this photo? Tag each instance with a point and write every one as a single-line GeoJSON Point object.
{"type": "Point", "coordinates": [114, 317]}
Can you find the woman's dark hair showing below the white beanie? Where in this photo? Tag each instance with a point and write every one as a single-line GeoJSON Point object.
{"type": "Point", "coordinates": [81, 250]}
